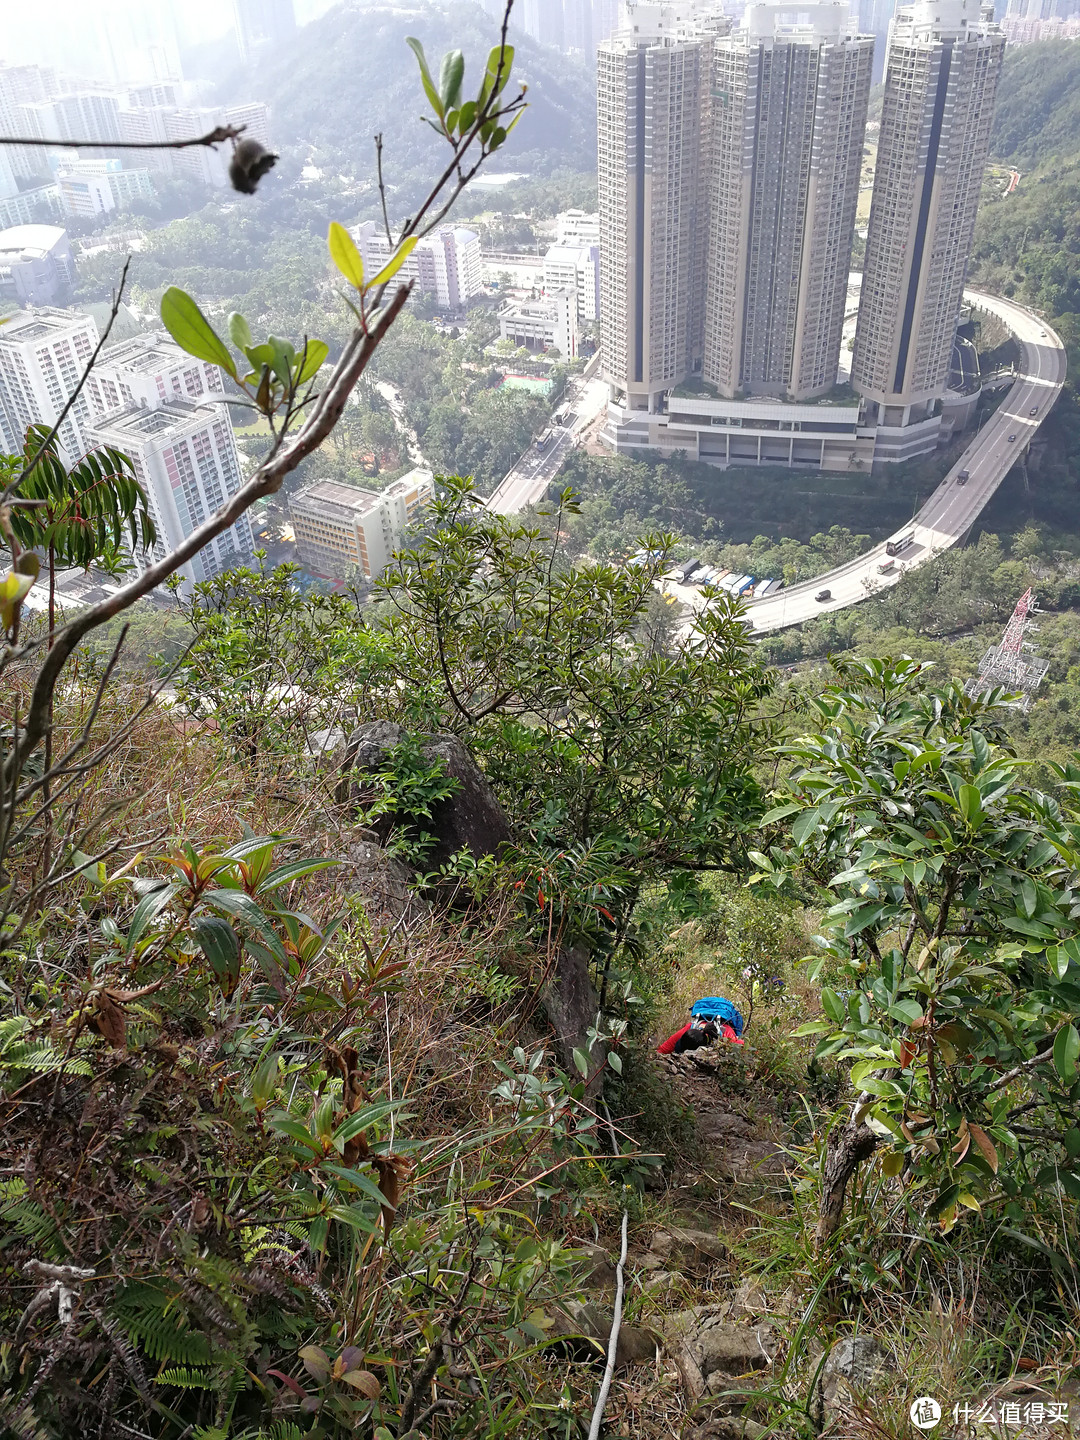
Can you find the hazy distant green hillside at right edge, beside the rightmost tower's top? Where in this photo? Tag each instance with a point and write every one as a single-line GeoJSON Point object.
{"type": "Point", "coordinates": [1039, 104]}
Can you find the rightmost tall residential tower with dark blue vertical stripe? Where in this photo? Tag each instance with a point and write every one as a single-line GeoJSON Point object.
{"type": "Point", "coordinates": [942, 77]}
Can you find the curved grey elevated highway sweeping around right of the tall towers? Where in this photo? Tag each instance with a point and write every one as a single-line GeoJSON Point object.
{"type": "Point", "coordinates": [953, 509]}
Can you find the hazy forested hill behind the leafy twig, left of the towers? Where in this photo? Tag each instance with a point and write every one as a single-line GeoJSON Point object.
{"type": "Point", "coordinates": [351, 74]}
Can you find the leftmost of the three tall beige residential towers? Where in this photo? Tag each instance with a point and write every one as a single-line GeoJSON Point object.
{"type": "Point", "coordinates": [653, 87]}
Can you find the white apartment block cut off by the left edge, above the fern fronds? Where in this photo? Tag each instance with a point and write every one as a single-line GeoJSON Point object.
{"type": "Point", "coordinates": [42, 356]}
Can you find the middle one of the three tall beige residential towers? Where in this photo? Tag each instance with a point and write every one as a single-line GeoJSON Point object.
{"type": "Point", "coordinates": [788, 119]}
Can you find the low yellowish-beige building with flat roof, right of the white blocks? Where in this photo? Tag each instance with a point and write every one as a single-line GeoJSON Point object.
{"type": "Point", "coordinates": [341, 529]}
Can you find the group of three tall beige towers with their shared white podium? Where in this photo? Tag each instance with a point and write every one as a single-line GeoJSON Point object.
{"type": "Point", "coordinates": [729, 165]}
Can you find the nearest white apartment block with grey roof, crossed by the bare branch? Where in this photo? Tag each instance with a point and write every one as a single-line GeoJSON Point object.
{"type": "Point", "coordinates": [185, 457]}
